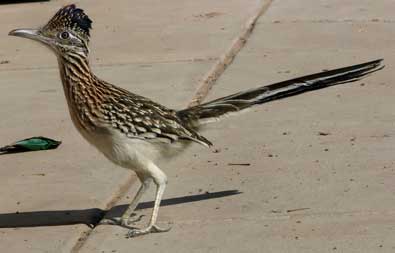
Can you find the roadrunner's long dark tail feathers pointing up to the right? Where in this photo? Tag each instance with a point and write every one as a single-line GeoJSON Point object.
{"type": "Point", "coordinates": [214, 110]}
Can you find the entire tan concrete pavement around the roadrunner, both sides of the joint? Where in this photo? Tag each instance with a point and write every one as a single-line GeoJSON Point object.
{"type": "Point", "coordinates": [302, 192]}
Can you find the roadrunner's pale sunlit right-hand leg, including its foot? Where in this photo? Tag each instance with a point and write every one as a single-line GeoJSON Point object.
{"type": "Point", "coordinates": [160, 180]}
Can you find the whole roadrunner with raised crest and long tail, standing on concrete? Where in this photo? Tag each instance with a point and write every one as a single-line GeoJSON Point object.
{"type": "Point", "coordinates": [134, 132]}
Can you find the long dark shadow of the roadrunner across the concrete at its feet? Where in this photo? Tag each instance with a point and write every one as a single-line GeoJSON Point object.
{"type": "Point", "coordinates": [92, 216]}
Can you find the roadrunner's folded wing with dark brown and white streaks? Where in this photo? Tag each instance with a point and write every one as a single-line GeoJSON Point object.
{"type": "Point", "coordinates": [139, 117]}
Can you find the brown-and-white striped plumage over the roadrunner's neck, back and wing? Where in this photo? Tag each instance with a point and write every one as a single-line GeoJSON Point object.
{"type": "Point", "coordinates": [95, 104]}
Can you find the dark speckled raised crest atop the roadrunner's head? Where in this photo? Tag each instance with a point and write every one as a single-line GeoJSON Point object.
{"type": "Point", "coordinates": [73, 18]}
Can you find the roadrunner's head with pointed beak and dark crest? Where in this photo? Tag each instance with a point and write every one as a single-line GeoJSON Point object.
{"type": "Point", "coordinates": [67, 31]}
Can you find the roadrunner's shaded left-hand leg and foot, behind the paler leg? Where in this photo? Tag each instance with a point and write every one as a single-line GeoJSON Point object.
{"type": "Point", "coordinates": [124, 220]}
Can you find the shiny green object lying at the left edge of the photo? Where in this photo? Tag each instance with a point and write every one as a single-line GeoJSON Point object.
{"type": "Point", "coordinates": [31, 144]}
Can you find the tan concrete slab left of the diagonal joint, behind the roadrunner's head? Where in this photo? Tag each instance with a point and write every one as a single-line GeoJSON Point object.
{"type": "Point", "coordinates": [157, 49]}
